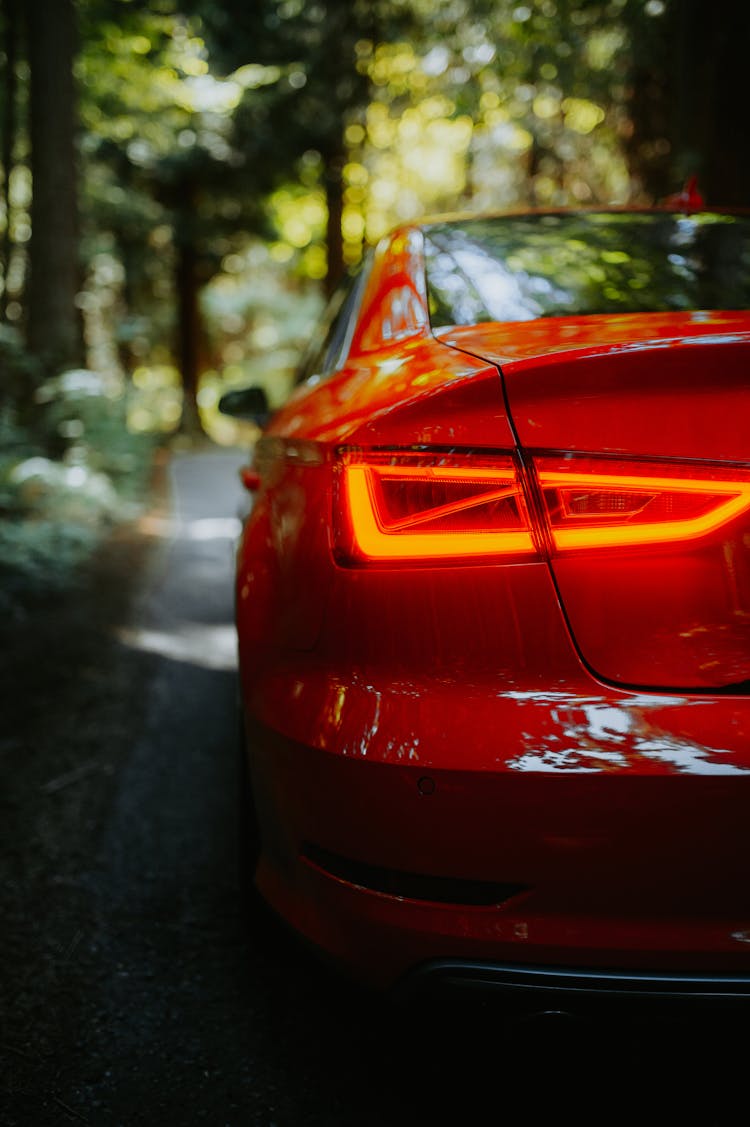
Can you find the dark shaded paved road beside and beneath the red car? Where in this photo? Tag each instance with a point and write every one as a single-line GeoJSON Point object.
{"type": "Point", "coordinates": [145, 1001]}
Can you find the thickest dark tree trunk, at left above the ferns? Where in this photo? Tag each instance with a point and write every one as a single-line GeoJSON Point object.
{"type": "Point", "coordinates": [54, 322]}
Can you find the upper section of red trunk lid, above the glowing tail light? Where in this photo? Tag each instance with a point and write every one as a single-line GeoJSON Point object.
{"type": "Point", "coordinates": [672, 386]}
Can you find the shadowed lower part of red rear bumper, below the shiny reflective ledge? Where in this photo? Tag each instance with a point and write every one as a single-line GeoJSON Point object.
{"type": "Point", "coordinates": [490, 876]}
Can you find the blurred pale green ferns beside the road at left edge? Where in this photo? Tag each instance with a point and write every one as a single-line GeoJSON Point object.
{"type": "Point", "coordinates": [67, 473]}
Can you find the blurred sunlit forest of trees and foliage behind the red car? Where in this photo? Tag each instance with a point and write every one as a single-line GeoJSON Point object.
{"type": "Point", "coordinates": [184, 181]}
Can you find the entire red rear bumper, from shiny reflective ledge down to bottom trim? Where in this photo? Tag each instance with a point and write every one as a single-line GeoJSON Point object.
{"type": "Point", "coordinates": [481, 822]}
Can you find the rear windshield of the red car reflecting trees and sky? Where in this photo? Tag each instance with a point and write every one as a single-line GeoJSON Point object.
{"type": "Point", "coordinates": [519, 268]}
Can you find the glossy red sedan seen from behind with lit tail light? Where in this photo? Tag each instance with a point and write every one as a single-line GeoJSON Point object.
{"type": "Point", "coordinates": [493, 605]}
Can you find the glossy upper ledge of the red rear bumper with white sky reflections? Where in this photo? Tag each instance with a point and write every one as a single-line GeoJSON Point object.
{"type": "Point", "coordinates": [554, 732]}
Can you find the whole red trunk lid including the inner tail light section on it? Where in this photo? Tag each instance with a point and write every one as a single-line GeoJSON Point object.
{"type": "Point", "coordinates": [650, 400]}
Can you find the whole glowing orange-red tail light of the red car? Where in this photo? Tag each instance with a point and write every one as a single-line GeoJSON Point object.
{"type": "Point", "coordinates": [400, 508]}
